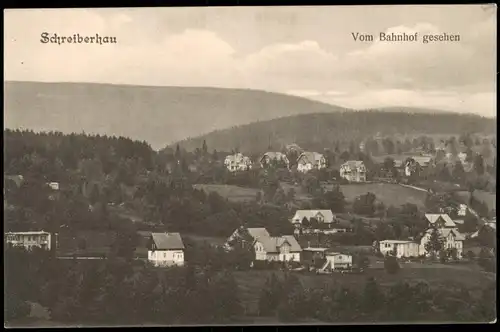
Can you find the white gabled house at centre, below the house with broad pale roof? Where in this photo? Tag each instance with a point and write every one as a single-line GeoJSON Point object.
{"type": "Point", "coordinates": [283, 249]}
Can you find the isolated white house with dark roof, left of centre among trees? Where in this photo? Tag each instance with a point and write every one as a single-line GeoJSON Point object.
{"type": "Point", "coordinates": [166, 249]}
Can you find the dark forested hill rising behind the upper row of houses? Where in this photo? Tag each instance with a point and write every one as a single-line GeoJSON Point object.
{"type": "Point", "coordinates": [321, 130]}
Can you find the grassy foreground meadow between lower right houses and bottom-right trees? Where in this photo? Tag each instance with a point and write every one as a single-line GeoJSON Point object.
{"type": "Point", "coordinates": [251, 282]}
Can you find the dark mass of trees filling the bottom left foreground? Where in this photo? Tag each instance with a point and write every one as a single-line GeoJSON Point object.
{"type": "Point", "coordinates": [117, 292]}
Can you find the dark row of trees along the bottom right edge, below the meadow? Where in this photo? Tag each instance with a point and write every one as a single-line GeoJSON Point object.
{"type": "Point", "coordinates": [290, 301]}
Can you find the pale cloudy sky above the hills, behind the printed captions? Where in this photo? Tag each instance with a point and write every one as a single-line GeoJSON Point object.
{"type": "Point", "coordinates": [304, 51]}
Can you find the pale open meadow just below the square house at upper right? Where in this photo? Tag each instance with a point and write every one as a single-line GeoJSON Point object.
{"type": "Point", "coordinates": [389, 194]}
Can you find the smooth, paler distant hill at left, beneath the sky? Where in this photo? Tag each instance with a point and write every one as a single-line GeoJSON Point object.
{"type": "Point", "coordinates": [158, 115]}
